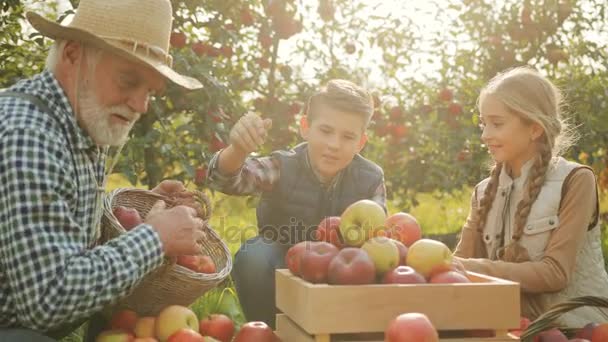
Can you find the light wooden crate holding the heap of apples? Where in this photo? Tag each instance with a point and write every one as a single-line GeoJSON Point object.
{"type": "Point", "coordinates": [315, 312]}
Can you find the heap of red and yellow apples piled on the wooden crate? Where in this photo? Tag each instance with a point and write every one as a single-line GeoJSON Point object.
{"type": "Point", "coordinates": [363, 246]}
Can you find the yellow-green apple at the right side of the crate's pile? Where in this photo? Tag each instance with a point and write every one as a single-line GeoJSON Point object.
{"type": "Point", "coordinates": [427, 256]}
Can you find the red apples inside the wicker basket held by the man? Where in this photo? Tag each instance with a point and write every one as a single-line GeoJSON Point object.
{"type": "Point", "coordinates": [129, 218]}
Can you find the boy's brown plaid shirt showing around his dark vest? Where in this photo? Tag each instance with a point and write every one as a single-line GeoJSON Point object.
{"type": "Point", "coordinates": [260, 174]}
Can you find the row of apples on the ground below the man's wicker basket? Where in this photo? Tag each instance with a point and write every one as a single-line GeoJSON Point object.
{"type": "Point", "coordinates": [178, 323]}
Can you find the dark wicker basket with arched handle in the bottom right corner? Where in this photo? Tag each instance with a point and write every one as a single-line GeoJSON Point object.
{"type": "Point", "coordinates": [544, 321]}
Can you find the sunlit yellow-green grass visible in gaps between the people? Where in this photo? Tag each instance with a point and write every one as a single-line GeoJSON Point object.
{"type": "Point", "coordinates": [234, 219]}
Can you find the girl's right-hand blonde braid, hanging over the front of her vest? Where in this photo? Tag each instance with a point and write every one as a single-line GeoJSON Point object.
{"type": "Point", "coordinates": [534, 184]}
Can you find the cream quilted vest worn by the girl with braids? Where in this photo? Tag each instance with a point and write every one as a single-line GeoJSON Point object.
{"type": "Point", "coordinates": [589, 278]}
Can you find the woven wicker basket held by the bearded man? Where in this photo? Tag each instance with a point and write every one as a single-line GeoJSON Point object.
{"type": "Point", "coordinates": [170, 283]}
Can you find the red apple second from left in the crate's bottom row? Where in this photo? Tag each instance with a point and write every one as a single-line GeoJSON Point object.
{"type": "Point", "coordinates": [314, 262]}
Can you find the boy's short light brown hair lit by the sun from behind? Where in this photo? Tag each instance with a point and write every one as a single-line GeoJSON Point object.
{"type": "Point", "coordinates": [344, 96]}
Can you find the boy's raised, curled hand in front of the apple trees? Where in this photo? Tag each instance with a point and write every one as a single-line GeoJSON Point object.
{"type": "Point", "coordinates": [249, 133]}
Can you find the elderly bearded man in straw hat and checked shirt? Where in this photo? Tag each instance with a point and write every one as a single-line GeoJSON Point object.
{"type": "Point", "coordinates": [56, 129]}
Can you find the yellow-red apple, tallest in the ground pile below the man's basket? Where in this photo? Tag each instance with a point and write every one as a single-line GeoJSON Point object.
{"type": "Point", "coordinates": [173, 318]}
